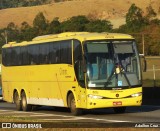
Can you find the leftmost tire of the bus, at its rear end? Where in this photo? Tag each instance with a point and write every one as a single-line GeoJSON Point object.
{"type": "Point", "coordinates": [17, 101]}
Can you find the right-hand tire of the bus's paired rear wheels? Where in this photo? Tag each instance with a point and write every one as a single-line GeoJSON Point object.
{"type": "Point", "coordinates": [25, 106]}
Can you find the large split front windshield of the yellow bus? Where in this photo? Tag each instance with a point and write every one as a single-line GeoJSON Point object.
{"type": "Point", "coordinates": [112, 64]}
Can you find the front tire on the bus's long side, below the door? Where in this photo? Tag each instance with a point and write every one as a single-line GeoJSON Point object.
{"type": "Point", "coordinates": [72, 105]}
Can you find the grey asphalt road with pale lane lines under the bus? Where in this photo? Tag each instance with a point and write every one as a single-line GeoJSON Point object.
{"type": "Point", "coordinates": [143, 115]}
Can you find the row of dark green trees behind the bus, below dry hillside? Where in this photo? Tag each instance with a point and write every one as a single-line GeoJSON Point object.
{"type": "Point", "coordinates": [137, 24]}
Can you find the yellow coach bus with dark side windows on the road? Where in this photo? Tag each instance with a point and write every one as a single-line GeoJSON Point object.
{"type": "Point", "coordinates": [77, 70]}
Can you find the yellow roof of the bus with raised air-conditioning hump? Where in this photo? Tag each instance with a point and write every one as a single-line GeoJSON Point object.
{"type": "Point", "coordinates": [82, 36]}
